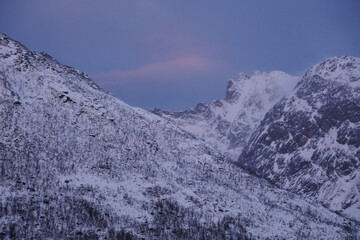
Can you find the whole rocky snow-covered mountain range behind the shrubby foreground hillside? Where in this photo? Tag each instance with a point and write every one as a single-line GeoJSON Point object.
{"type": "Point", "coordinates": [307, 142]}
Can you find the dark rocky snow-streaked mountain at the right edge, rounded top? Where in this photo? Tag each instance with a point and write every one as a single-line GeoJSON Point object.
{"type": "Point", "coordinates": [309, 142]}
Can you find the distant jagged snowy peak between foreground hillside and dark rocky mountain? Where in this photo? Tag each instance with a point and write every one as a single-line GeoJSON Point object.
{"type": "Point", "coordinates": [228, 123]}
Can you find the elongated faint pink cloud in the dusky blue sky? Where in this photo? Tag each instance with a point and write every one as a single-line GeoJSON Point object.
{"type": "Point", "coordinates": [160, 70]}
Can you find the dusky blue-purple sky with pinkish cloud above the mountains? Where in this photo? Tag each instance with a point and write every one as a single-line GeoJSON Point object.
{"type": "Point", "coordinates": [172, 54]}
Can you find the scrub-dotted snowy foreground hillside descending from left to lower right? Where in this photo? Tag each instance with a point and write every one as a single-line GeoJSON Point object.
{"type": "Point", "coordinates": [78, 163]}
